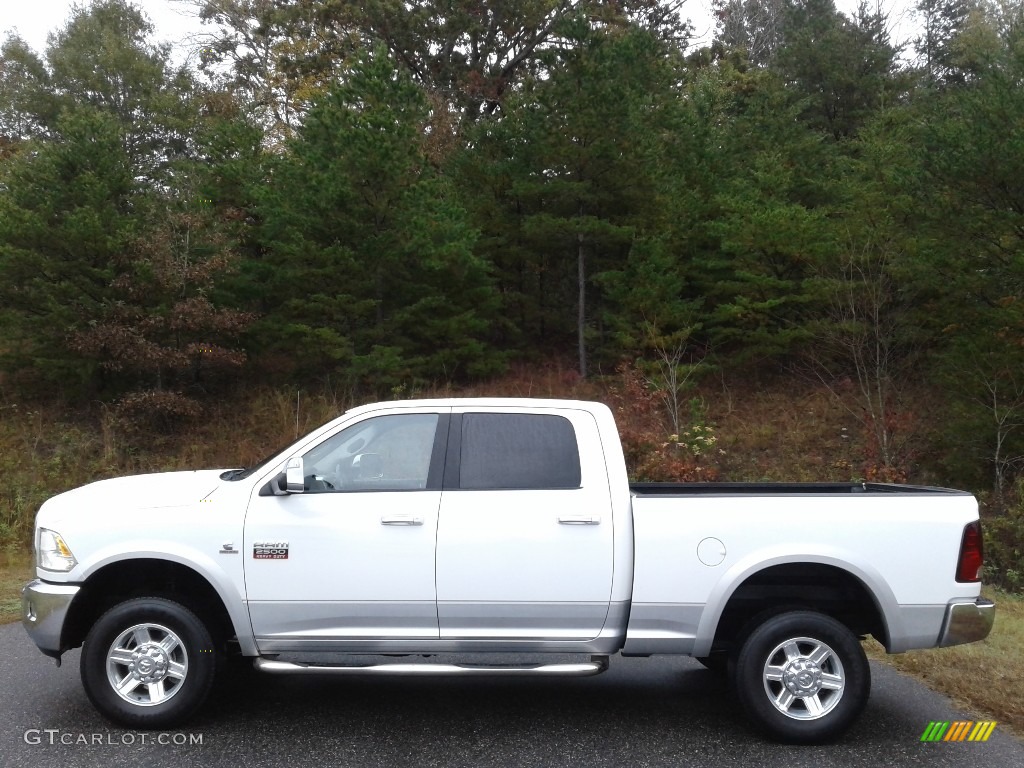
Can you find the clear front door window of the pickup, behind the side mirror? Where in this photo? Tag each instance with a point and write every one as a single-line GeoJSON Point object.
{"type": "Point", "coordinates": [387, 453]}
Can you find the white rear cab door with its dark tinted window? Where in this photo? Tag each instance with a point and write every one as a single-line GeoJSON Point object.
{"type": "Point", "coordinates": [525, 538]}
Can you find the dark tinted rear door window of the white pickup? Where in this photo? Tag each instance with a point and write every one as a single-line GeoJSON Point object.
{"type": "Point", "coordinates": [519, 451]}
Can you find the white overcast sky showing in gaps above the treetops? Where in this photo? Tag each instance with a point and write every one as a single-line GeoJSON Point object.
{"type": "Point", "coordinates": [34, 19]}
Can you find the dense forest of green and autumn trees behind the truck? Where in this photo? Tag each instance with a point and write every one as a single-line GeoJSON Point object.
{"type": "Point", "coordinates": [379, 199]}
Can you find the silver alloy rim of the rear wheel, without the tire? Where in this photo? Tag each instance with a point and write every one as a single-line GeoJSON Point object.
{"type": "Point", "coordinates": [804, 678]}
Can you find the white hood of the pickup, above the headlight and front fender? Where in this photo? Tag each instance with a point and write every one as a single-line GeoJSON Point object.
{"type": "Point", "coordinates": [159, 490]}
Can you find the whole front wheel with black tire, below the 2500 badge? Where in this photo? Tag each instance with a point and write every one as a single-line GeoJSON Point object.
{"type": "Point", "coordinates": [169, 664]}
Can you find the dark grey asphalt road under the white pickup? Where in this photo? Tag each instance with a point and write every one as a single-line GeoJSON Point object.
{"type": "Point", "coordinates": [655, 712]}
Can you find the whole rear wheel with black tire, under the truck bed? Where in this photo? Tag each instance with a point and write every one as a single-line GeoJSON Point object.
{"type": "Point", "coordinates": [820, 684]}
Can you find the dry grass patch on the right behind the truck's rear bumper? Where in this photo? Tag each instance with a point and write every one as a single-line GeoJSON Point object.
{"type": "Point", "coordinates": [983, 677]}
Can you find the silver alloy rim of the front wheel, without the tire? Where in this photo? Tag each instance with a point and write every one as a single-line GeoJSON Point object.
{"type": "Point", "coordinates": [147, 665]}
